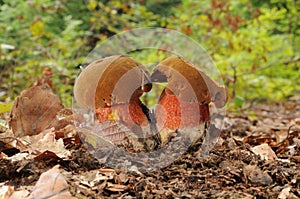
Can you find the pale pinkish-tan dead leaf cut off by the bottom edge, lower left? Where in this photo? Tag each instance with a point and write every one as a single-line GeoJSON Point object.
{"type": "Point", "coordinates": [52, 185]}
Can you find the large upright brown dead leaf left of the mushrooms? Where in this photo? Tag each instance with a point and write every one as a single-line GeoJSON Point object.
{"type": "Point", "coordinates": [35, 110]}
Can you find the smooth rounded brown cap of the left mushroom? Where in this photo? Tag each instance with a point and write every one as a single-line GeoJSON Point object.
{"type": "Point", "coordinates": [115, 79]}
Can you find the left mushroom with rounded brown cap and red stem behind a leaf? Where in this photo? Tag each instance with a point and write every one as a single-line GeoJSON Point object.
{"type": "Point", "coordinates": [111, 87]}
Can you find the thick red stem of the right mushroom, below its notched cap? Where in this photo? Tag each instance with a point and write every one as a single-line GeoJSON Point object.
{"type": "Point", "coordinates": [173, 114]}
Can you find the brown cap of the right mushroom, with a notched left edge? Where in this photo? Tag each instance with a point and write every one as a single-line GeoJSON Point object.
{"type": "Point", "coordinates": [189, 83]}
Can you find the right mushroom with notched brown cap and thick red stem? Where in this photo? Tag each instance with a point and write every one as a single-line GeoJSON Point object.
{"type": "Point", "coordinates": [184, 103]}
